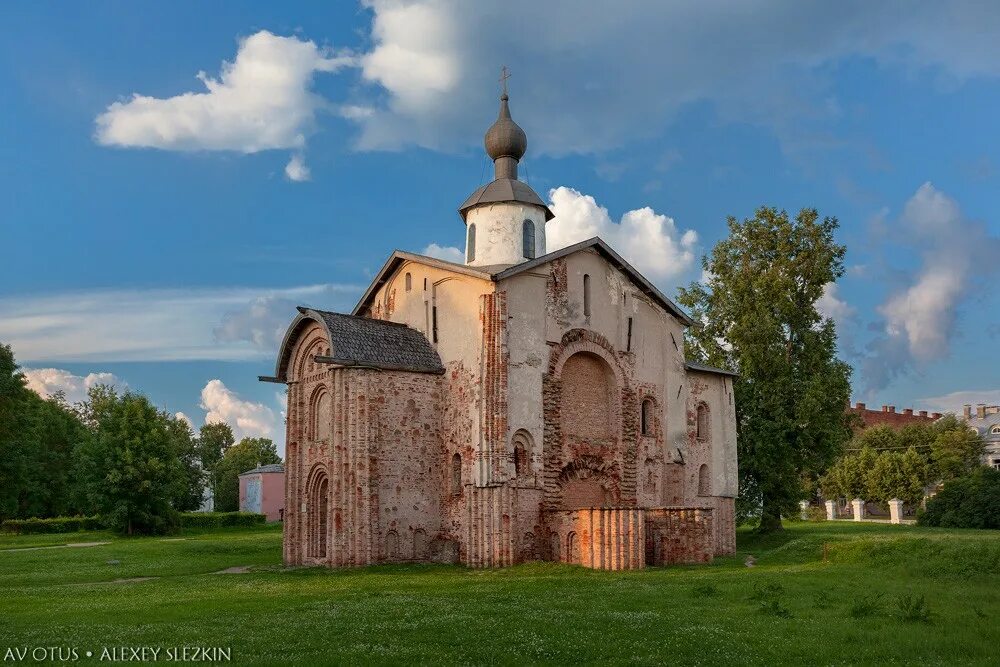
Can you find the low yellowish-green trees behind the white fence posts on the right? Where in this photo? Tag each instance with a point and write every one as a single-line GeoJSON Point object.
{"type": "Point", "coordinates": [882, 463]}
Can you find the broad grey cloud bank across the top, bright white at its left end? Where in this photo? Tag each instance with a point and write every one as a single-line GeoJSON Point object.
{"type": "Point", "coordinates": [608, 77]}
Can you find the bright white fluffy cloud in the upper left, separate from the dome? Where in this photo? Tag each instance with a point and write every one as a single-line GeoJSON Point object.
{"type": "Point", "coordinates": [262, 100]}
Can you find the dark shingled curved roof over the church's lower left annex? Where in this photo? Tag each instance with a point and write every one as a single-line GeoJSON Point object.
{"type": "Point", "coordinates": [364, 342]}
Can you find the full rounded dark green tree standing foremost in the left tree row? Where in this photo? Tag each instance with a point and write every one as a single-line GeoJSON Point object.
{"type": "Point", "coordinates": [129, 466]}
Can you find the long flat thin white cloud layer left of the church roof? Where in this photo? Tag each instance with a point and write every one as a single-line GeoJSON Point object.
{"type": "Point", "coordinates": [239, 323]}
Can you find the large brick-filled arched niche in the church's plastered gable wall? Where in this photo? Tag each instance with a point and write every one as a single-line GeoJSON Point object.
{"type": "Point", "coordinates": [589, 401]}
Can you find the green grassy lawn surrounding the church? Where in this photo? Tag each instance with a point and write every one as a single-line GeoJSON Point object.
{"type": "Point", "coordinates": [821, 593]}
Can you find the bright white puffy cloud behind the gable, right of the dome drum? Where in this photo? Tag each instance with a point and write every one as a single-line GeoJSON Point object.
{"type": "Point", "coordinates": [648, 240]}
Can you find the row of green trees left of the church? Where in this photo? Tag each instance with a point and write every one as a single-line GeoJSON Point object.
{"type": "Point", "coordinates": [115, 454]}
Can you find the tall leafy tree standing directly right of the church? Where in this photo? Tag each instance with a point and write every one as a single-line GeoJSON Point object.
{"type": "Point", "coordinates": [758, 317]}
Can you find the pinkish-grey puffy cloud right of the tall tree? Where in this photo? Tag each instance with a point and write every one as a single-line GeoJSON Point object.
{"type": "Point", "coordinates": [919, 319]}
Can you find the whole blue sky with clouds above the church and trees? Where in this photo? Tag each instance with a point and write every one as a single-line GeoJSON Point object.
{"type": "Point", "coordinates": [165, 238]}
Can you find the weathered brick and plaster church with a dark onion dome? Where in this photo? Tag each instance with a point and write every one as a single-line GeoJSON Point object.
{"type": "Point", "coordinates": [524, 405]}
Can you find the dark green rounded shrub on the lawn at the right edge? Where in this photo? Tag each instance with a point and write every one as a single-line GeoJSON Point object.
{"type": "Point", "coordinates": [972, 501]}
